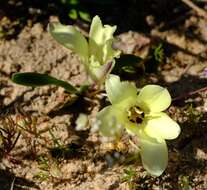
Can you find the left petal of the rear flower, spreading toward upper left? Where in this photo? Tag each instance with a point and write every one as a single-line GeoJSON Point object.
{"type": "Point", "coordinates": [71, 38]}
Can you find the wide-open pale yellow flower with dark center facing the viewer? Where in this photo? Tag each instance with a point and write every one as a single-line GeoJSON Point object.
{"type": "Point", "coordinates": [140, 114]}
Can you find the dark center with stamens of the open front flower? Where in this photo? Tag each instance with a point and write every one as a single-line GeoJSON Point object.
{"type": "Point", "coordinates": [135, 114]}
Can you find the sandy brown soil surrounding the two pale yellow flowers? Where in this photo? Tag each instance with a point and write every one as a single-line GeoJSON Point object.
{"type": "Point", "coordinates": [63, 158]}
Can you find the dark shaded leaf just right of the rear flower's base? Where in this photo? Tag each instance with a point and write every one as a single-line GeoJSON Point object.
{"type": "Point", "coordinates": [127, 63]}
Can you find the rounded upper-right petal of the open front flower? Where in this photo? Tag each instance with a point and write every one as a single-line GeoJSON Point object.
{"type": "Point", "coordinates": [154, 98]}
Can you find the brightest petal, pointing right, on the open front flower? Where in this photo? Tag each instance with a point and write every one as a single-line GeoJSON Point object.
{"type": "Point", "coordinates": [162, 126]}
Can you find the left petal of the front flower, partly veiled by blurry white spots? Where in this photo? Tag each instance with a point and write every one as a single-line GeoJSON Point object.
{"type": "Point", "coordinates": [110, 121]}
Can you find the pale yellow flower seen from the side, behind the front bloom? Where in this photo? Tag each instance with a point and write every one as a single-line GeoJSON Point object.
{"type": "Point", "coordinates": [97, 53]}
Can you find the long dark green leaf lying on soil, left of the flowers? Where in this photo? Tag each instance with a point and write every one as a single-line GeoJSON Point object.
{"type": "Point", "coordinates": [37, 79]}
